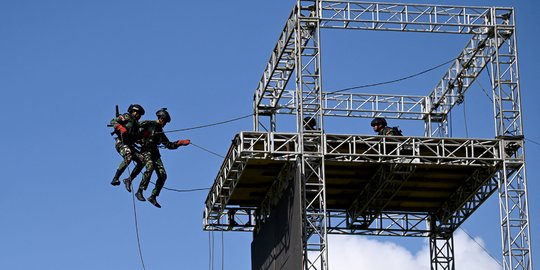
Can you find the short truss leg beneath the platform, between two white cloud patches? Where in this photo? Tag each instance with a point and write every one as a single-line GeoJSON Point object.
{"type": "Point", "coordinates": [442, 252]}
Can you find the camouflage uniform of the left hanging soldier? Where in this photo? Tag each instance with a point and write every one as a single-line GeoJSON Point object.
{"type": "Point", "coordinates": [125, 144]}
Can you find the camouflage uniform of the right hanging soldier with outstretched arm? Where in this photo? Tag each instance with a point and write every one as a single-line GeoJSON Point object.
{"type": "Point", "coordinates": [152, 137]}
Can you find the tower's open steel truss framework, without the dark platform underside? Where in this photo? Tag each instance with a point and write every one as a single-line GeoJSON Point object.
{"type": "Point", "coordinates": [297, 54]}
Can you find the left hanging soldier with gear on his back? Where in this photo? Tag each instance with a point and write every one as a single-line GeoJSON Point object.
{"type": "Point", "coordinates": [126, 128]}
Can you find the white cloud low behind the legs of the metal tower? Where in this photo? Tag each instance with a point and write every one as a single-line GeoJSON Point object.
{"type": "Point", "coordinates": [358, 252]}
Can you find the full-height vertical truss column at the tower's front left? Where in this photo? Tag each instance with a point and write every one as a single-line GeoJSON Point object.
{"type": "Point", "coordinates": [311, 161]}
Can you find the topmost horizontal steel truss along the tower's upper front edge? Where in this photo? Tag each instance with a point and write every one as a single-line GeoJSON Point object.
{"type": "Point", "coordinates": [407, 17]}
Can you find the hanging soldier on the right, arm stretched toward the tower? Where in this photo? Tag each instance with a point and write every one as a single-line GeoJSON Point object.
{"type": "Point", "coordinates": [152, 136]}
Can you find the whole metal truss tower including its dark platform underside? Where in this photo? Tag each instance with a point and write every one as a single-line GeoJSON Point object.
{"type": "Point", "coordinates": [376, 185]}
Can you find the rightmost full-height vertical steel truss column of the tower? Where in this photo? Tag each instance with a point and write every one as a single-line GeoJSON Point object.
{"type": "Point", "coordinates": [513, 202]}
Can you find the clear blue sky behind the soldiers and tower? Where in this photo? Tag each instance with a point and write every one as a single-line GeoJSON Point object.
{"type": "Point", "coordinates": [64, 65]}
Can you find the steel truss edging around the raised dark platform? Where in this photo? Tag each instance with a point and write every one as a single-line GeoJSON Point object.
{"type": "Point", "coordinates": [483, 154]}
